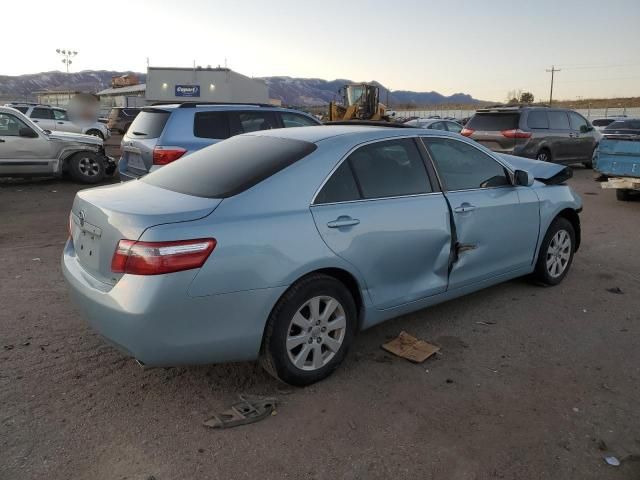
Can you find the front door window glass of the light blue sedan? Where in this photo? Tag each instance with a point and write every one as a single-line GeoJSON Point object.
{"type": "Point", "coordinates": [463, 167]}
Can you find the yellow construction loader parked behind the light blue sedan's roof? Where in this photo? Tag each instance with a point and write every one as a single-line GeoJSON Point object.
{"type": "Point", "coordinates": [360, 101]}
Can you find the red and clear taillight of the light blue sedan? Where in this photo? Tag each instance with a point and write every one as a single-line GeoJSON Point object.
{"type": "Point", "coordinates": [155, 258]}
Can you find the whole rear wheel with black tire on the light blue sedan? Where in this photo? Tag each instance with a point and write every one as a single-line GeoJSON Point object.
{"type": "Point", "coordinates": [309, 331]}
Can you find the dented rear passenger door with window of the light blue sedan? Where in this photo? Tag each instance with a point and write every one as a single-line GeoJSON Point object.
{"type": "Point", "coordinates": [400, 245]}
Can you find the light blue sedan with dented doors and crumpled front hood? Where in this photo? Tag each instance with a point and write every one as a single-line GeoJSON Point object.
{"type": "Point", "coordinates": [281, 245]}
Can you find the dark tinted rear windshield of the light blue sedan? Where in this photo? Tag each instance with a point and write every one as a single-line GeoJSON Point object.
{"type": "Point", "coordinates": [230, 167]}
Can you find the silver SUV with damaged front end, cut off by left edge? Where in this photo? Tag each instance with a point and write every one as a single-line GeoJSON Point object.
{"type": "Point", "coordinates": [27, 150]}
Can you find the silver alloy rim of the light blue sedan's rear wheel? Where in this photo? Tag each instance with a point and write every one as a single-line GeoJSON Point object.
{"type": "Point", "coordinates": [316, 333]}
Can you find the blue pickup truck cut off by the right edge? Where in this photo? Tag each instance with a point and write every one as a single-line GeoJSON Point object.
{"type": "Point", "coordinates": [617, 161]}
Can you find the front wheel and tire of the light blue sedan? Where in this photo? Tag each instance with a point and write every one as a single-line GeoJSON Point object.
{"type": "Point", "coordinates": [556, 252]}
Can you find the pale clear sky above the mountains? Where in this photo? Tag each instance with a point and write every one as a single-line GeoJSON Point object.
{"type": "Point", "coordinates": [484, 48]}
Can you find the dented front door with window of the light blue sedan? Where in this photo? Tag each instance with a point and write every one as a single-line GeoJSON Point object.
{"type": "Point", "coordinates": [495, 232]}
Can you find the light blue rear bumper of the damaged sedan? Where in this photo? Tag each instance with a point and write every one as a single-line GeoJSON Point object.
{"type": "Point", "coordinates": [153, 319]}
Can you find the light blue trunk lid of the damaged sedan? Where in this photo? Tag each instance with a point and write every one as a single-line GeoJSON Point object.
{"type": "Point", "coordinates": [101, 217]}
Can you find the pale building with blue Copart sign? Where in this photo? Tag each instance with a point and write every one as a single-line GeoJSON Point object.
{"type": "Point", "coordinates": [204, 85]}
